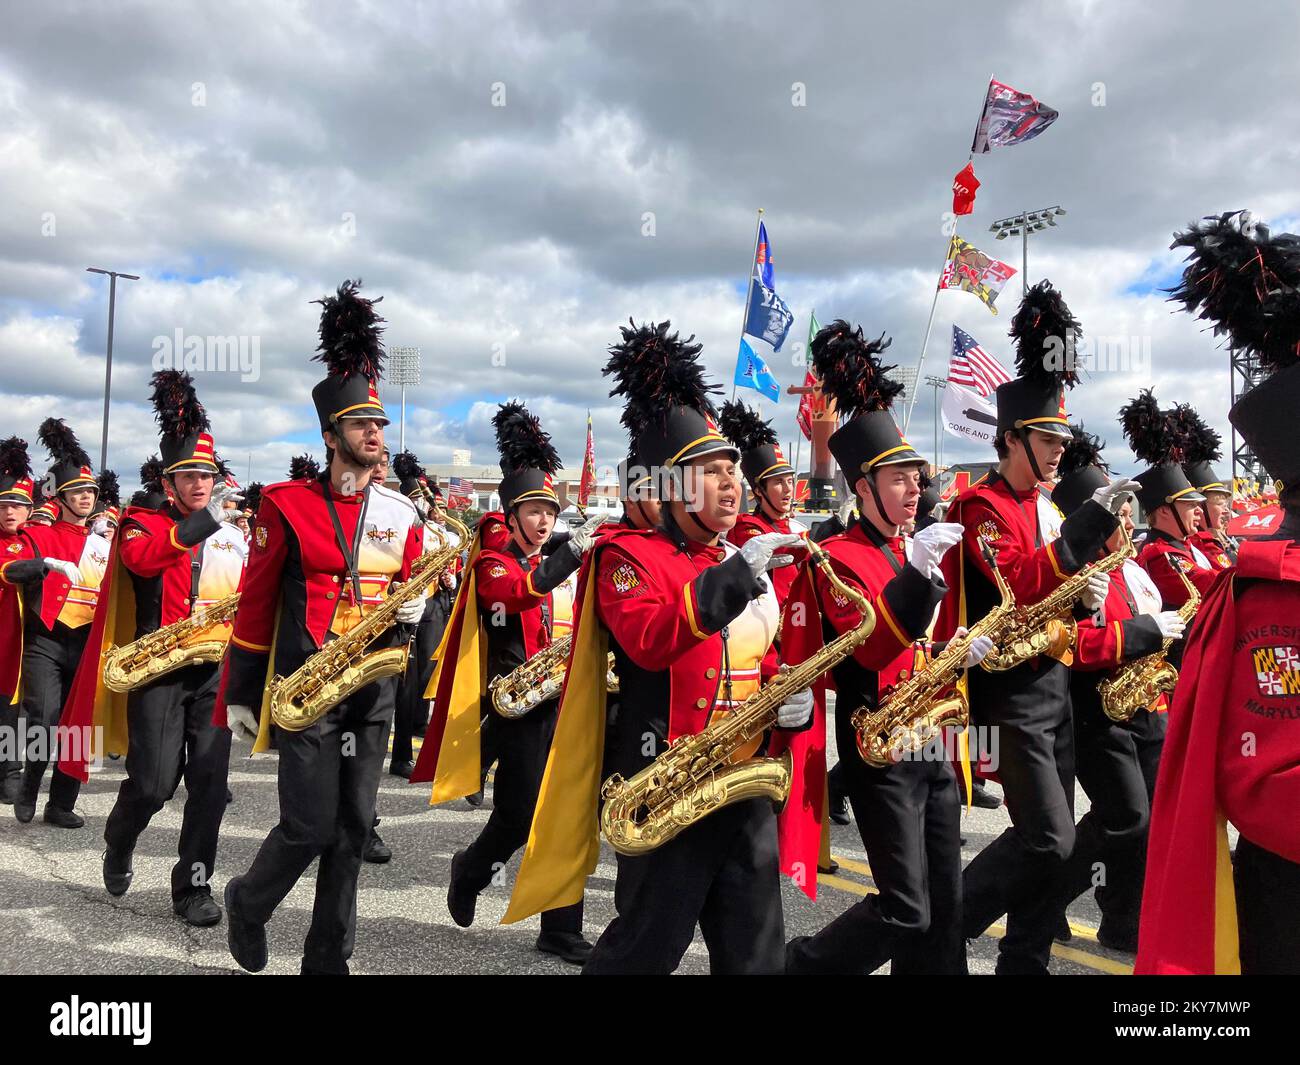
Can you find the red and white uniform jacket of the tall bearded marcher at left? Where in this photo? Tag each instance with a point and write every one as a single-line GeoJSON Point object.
{"type": "Point", "coordinates": [296, 592]}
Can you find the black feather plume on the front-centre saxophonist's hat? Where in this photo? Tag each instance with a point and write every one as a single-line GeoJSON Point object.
{"type": "Point", "coordinates": [656, 370]}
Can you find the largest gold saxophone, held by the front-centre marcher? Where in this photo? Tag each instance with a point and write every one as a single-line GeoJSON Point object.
{"type": "Point", "coordinates": [696, 777]}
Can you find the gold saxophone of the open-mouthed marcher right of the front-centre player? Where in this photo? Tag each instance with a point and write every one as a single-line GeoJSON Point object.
{"type": "Point", "coordinates": [912, 715]}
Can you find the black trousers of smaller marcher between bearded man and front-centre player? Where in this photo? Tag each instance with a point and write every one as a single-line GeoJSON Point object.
{"type": "Point", "coordinates": [522, 747]}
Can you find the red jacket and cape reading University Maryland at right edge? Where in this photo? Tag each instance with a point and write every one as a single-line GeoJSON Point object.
{"type": "Point", "coordinates": [1233, 752]}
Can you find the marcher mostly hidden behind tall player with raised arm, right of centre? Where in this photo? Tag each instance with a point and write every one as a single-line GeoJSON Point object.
{"type": "Point", "coordinates": [1115, 761]}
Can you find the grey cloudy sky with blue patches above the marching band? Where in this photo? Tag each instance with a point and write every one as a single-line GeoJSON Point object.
{"type": "Point", "coordinates": [491, 171]}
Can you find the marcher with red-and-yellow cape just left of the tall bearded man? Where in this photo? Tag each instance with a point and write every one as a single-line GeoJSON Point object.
{"type": "Point", "coordinates": [176, 562]}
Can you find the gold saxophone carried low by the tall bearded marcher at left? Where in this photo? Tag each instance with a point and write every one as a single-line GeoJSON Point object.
{"type": "Point", "coordinates": [345, 665]}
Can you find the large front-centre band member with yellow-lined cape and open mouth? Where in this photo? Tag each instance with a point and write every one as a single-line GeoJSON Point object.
{"type": "Point", "coordinates": [691, 621]}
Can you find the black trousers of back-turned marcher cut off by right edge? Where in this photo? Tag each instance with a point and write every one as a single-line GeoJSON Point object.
{"type": "Point", "coordinates": [1268, 920]}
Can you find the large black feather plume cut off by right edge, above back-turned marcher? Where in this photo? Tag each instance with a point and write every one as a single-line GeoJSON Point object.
{"type": "Point", "coordinates": [1246, 284]}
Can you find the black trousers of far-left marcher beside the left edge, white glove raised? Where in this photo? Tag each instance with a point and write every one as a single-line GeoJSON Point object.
{"type": "Point", "coordinates": [50, 663]}
